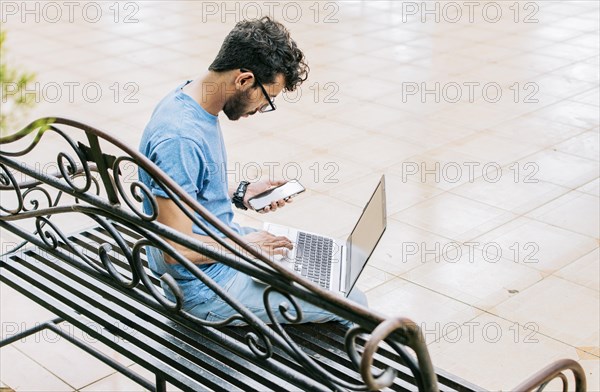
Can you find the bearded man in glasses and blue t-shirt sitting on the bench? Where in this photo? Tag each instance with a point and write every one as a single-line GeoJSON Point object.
{"type": "Point", "coordinates": [257, 60]}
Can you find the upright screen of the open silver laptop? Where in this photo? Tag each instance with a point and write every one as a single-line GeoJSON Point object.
{"type": "Point", "coordinates": [366, 234]}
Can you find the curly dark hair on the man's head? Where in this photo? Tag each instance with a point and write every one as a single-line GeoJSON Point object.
{"type": "Point", "coordinates": [265, 47]}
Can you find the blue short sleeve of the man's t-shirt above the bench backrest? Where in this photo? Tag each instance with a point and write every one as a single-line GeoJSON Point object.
{"type": "Point", "coordinates": [181, 159]}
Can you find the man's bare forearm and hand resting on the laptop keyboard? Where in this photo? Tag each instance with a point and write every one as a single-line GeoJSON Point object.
{"type": "Point", "coordinates": [171, 215]}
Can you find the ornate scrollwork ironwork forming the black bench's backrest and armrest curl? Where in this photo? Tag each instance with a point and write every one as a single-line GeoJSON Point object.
{"type": "Point", "coordinates": [260, 340]}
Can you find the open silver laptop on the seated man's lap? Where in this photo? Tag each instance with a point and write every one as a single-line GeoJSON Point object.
{"type": "Point", "coordinates": [333, 264]}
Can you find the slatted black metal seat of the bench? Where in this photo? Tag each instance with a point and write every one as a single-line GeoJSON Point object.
{"type": "Point", "coordinates": [184, 348]}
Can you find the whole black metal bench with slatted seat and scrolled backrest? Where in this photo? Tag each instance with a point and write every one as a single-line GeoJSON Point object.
{"type": "Point", "coordinates": [98, 280]}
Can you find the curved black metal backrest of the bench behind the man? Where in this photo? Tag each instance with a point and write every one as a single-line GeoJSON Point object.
{"type": "Point", "coordinates": [95, 176]}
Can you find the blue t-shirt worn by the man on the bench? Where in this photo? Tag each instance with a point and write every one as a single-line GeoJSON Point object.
{"type": "Point", "coordinates": [186, 143]}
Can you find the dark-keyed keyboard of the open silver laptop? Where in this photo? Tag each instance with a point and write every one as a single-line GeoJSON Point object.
{"type": "Point", "coordinates": [313, 258]}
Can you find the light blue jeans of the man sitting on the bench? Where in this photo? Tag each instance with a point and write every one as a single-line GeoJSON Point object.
{"type": "Point", "coordinates": [250, 293]}
